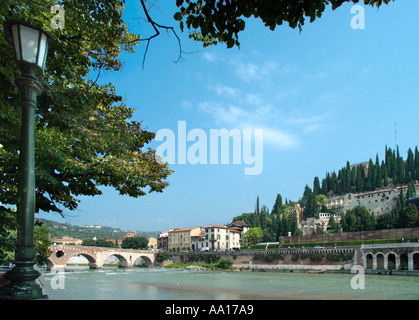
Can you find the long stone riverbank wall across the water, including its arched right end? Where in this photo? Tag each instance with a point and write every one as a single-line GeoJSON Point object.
{"type": "Point", "coordinates": [392, 258]}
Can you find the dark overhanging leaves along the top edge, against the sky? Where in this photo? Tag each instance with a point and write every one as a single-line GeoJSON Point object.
{"type": "Point", "coordinates": [214, 21]}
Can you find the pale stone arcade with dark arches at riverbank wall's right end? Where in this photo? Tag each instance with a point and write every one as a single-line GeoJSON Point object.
{"type": "Point", "coordinates": [397, 256]}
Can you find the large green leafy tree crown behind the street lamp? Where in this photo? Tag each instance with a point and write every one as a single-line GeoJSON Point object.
{"type": "Point", "coordinates": [85, 137]}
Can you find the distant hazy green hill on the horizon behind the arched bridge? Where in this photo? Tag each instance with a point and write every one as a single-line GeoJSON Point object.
{"type": "Point", "coordinates": [59, 230]}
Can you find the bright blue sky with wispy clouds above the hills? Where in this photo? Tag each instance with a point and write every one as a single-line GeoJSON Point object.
{"type": "Point", "coordinates": [327, 95]}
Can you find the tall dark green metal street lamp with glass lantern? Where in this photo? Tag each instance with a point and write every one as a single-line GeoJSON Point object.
{"type": "Point", "coordinates": [31, 46]}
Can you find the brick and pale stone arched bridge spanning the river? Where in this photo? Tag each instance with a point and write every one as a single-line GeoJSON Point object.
{"type": "Point", "coordinates": [96, 256]}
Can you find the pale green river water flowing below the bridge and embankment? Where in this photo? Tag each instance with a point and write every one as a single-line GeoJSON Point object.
{"type": "Point", "coordinates": [178, 284]}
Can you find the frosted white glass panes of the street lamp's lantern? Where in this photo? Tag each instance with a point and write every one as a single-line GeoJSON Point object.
{"type": "Point", "coordinates": [31, 44]}
